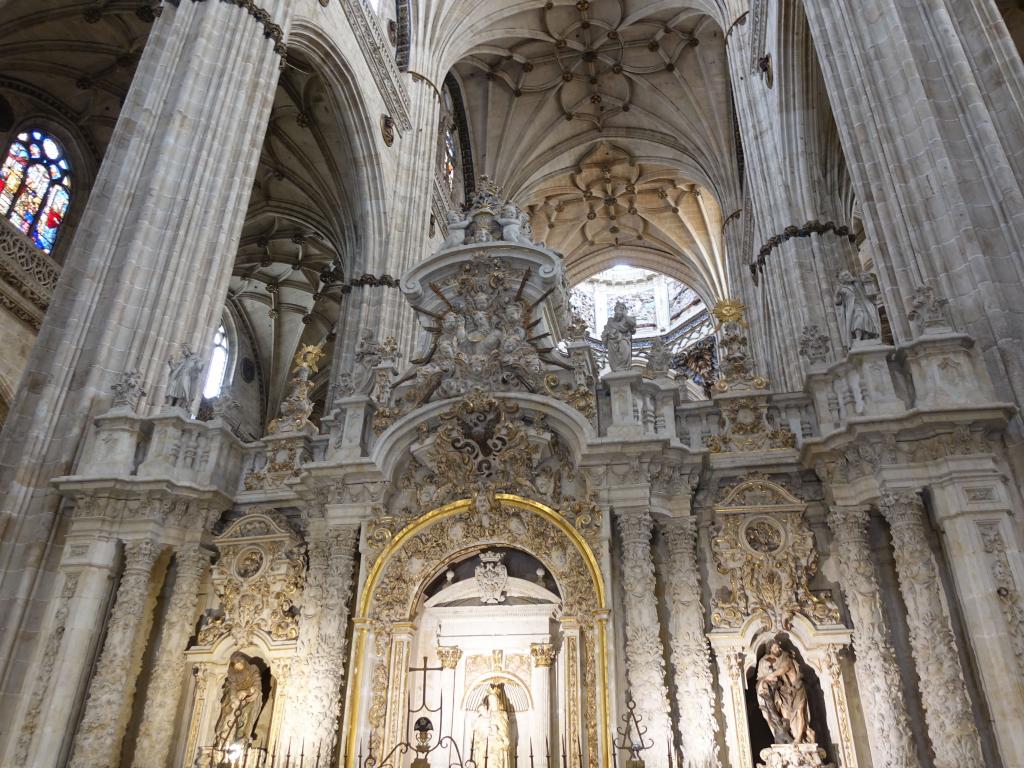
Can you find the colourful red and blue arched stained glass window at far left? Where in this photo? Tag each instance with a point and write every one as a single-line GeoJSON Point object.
{"type": "Point", "coordinates": [35, 187]}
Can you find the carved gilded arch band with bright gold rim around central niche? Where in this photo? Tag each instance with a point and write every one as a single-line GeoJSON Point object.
{"type": "Point", "coordinates": [416, 554]}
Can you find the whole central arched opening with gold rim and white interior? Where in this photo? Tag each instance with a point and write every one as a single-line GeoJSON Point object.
{"type": "Point", "coordinates": [399, 598]}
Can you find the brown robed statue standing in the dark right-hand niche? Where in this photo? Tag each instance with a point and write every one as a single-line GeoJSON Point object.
{"type": "Point", "coordinates": [783, 698]}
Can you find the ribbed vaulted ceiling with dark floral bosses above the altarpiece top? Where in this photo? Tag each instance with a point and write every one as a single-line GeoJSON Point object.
{"type": "Point", "coordinates": [612, 120]}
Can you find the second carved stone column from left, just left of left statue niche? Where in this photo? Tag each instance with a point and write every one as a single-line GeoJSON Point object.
{"type": "Point", "coordinates": [164, 695]}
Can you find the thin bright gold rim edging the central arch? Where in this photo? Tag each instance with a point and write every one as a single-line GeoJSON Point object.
{"type": "Point", "coordinates": [362, 621]}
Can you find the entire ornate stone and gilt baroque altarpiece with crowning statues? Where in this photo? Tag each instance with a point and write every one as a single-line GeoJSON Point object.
{"type": "Point", "coordinates": [500, 551]}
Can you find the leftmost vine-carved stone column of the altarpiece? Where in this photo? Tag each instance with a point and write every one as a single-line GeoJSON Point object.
{"type": "Point", "coordinates": [98, 741]}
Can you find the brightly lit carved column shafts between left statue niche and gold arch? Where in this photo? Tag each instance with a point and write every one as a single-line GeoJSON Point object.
{"type": "Point", "coordinates": [319, 668]}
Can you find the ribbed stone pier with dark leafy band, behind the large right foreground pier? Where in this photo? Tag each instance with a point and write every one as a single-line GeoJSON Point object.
{"type": "Point", "coordinates": [786, 124]}
